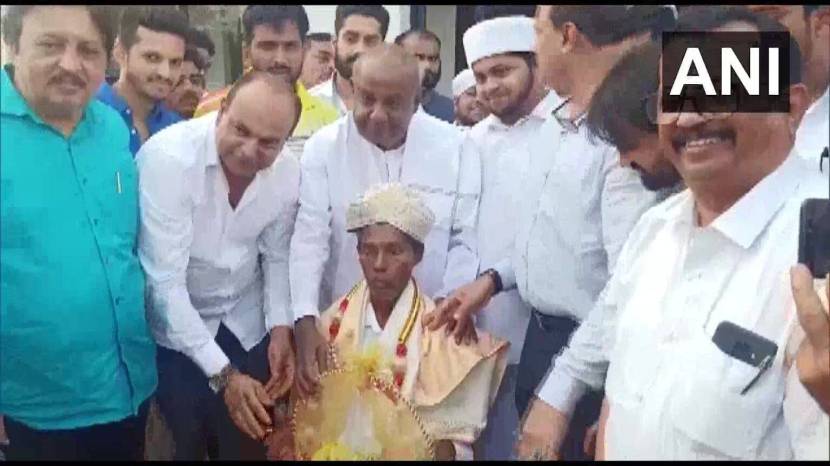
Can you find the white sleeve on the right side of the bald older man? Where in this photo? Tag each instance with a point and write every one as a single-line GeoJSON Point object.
{"type": "Point", "coordinates": [462, 254]}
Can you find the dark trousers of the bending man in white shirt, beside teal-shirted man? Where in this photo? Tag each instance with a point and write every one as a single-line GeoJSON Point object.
{"type": "Point", "coordinates": [198, 419]}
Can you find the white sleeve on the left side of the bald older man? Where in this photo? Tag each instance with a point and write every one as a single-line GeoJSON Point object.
{"type": "Point", "coordinates": [312, 230]}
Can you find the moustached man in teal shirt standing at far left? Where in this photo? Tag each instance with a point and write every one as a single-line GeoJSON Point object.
{"type": "Point", "coordinates": [77, 364]}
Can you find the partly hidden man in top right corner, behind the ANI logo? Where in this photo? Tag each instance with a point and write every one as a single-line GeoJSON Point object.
{"type": "Point", "coordinates": [810, 27]}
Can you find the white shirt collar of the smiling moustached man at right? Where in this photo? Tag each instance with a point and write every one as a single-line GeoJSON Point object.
{"type": "Point", "coordinates": [747, 219]}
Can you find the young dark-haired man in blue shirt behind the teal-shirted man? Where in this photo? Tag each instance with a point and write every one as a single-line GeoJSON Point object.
{"type": "Point", "coordinates": [149, 51]}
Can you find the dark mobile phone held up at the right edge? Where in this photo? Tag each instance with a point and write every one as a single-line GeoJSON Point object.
{"type": "Point", "coordinates": [814, 236]}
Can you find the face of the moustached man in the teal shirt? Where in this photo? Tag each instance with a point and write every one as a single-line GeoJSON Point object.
{"type": "Point", "coordinates": [60, 60]}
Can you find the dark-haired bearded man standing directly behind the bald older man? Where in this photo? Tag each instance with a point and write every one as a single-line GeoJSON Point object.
{"type": "Point", "coordinates": [357, 29]}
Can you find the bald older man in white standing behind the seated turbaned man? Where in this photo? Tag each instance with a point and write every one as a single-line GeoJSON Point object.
{"type": "Point", "coordinates": [383, 140]}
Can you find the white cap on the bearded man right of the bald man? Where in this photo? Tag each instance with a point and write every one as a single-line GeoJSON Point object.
{"type": "Point", "coordinates": [499, 35]}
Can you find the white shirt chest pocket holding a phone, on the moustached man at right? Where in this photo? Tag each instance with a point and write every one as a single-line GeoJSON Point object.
{"type": "Point", "coordinates": [707, 405]}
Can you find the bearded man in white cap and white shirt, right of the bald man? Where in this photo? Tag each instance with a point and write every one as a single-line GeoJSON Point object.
{"type": "Point", "coordinates": [500, 51]}
